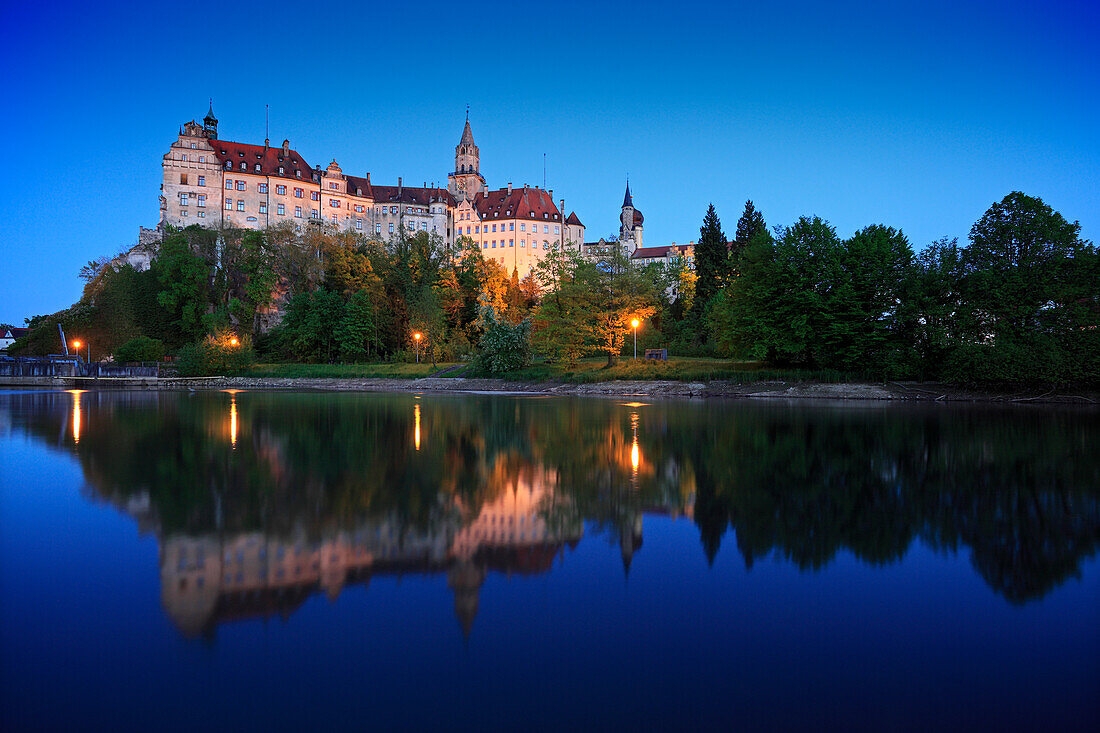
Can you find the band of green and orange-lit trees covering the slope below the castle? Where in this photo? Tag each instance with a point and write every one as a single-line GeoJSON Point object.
{"type": "Point", "coordinates": [1020, 304]}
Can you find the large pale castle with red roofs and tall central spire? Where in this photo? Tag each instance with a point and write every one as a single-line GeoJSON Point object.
{"type": "Point", "coordinates": [216, 183]}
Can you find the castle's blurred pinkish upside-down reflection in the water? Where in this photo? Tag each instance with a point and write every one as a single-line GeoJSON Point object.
{"type": "Point", "coordinates": [212, 579]}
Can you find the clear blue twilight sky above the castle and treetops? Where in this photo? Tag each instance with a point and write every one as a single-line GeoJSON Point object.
{"type": "Point", "coordinates": [915, 115]}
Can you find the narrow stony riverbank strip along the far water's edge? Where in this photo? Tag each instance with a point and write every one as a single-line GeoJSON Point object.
{"type": "Point", "coordinates": [653, 389]}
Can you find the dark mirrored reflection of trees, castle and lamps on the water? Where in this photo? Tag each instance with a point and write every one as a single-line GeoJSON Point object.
{"type": "Point", "coordinates": [324, 491]}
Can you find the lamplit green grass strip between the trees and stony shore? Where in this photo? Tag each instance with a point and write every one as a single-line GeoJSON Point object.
{"type": "Point", "coordinates": [680, 369]}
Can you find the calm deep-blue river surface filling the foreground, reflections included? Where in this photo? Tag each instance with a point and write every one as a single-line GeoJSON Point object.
{"type": "Point", "coordinates": [287, 562]}
